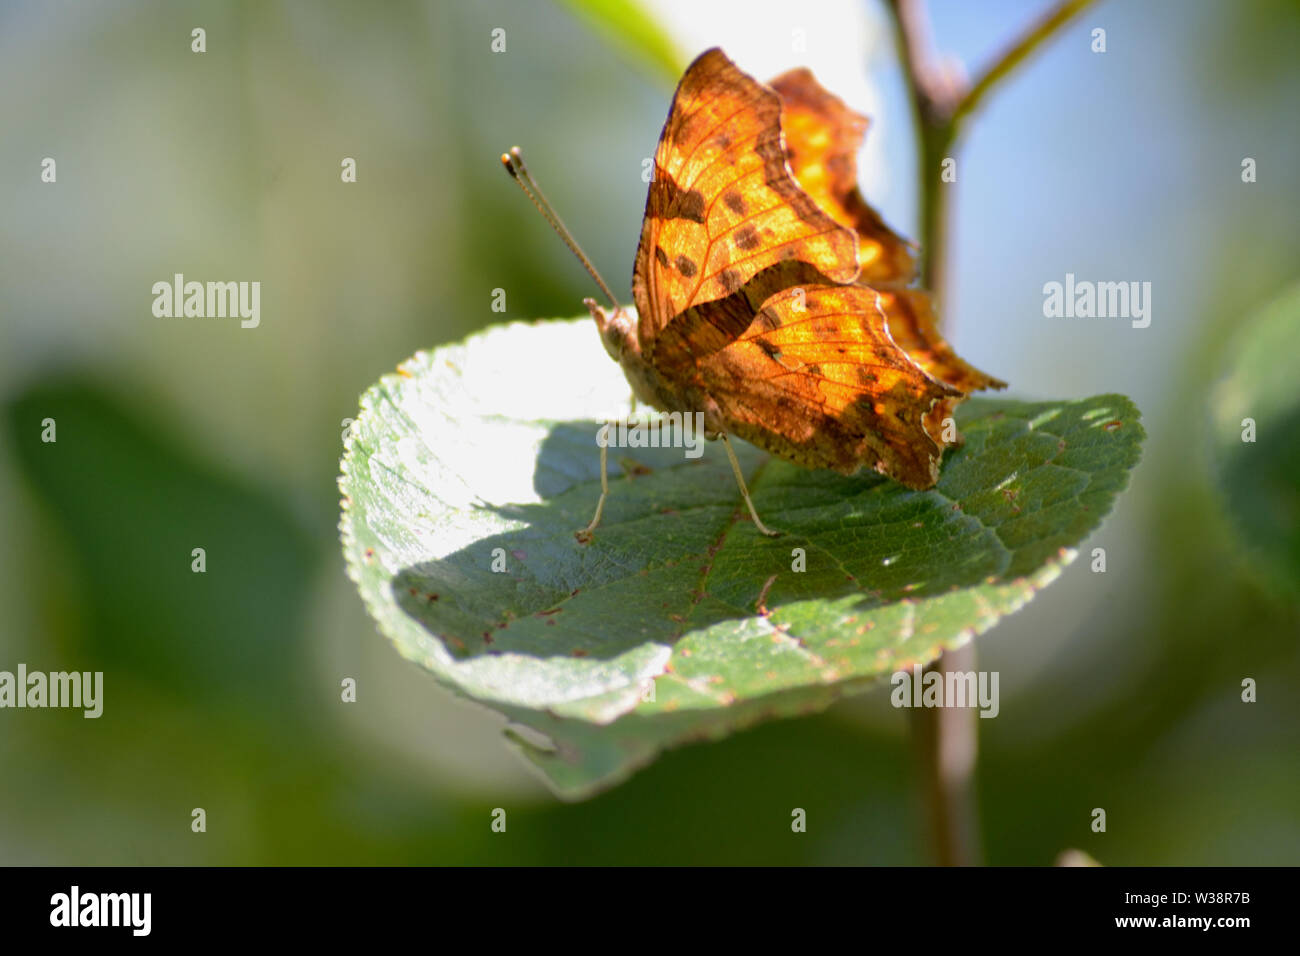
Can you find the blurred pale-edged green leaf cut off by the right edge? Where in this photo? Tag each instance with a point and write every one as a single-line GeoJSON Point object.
{"type": "Point", "coordinates": [1256, 442]}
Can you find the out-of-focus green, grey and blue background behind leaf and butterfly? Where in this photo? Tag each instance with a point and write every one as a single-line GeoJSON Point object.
{"type": "Point", "coordinates": [1120, 690]}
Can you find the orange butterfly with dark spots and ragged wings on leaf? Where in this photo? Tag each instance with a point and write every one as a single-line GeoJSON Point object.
{"type": "Point", "coordinates": [770, 297]}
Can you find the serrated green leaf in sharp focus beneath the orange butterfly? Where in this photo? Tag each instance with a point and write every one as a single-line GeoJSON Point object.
{"type": "Point", "coordinates": [679, 621]}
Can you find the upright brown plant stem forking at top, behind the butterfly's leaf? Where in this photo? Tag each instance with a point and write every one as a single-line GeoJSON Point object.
{"type": "Point", "coordinates": [947, 739]}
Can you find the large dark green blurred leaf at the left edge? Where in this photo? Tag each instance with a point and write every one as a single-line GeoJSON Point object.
{"type": "Point", "coordinates": [135, 505]}
